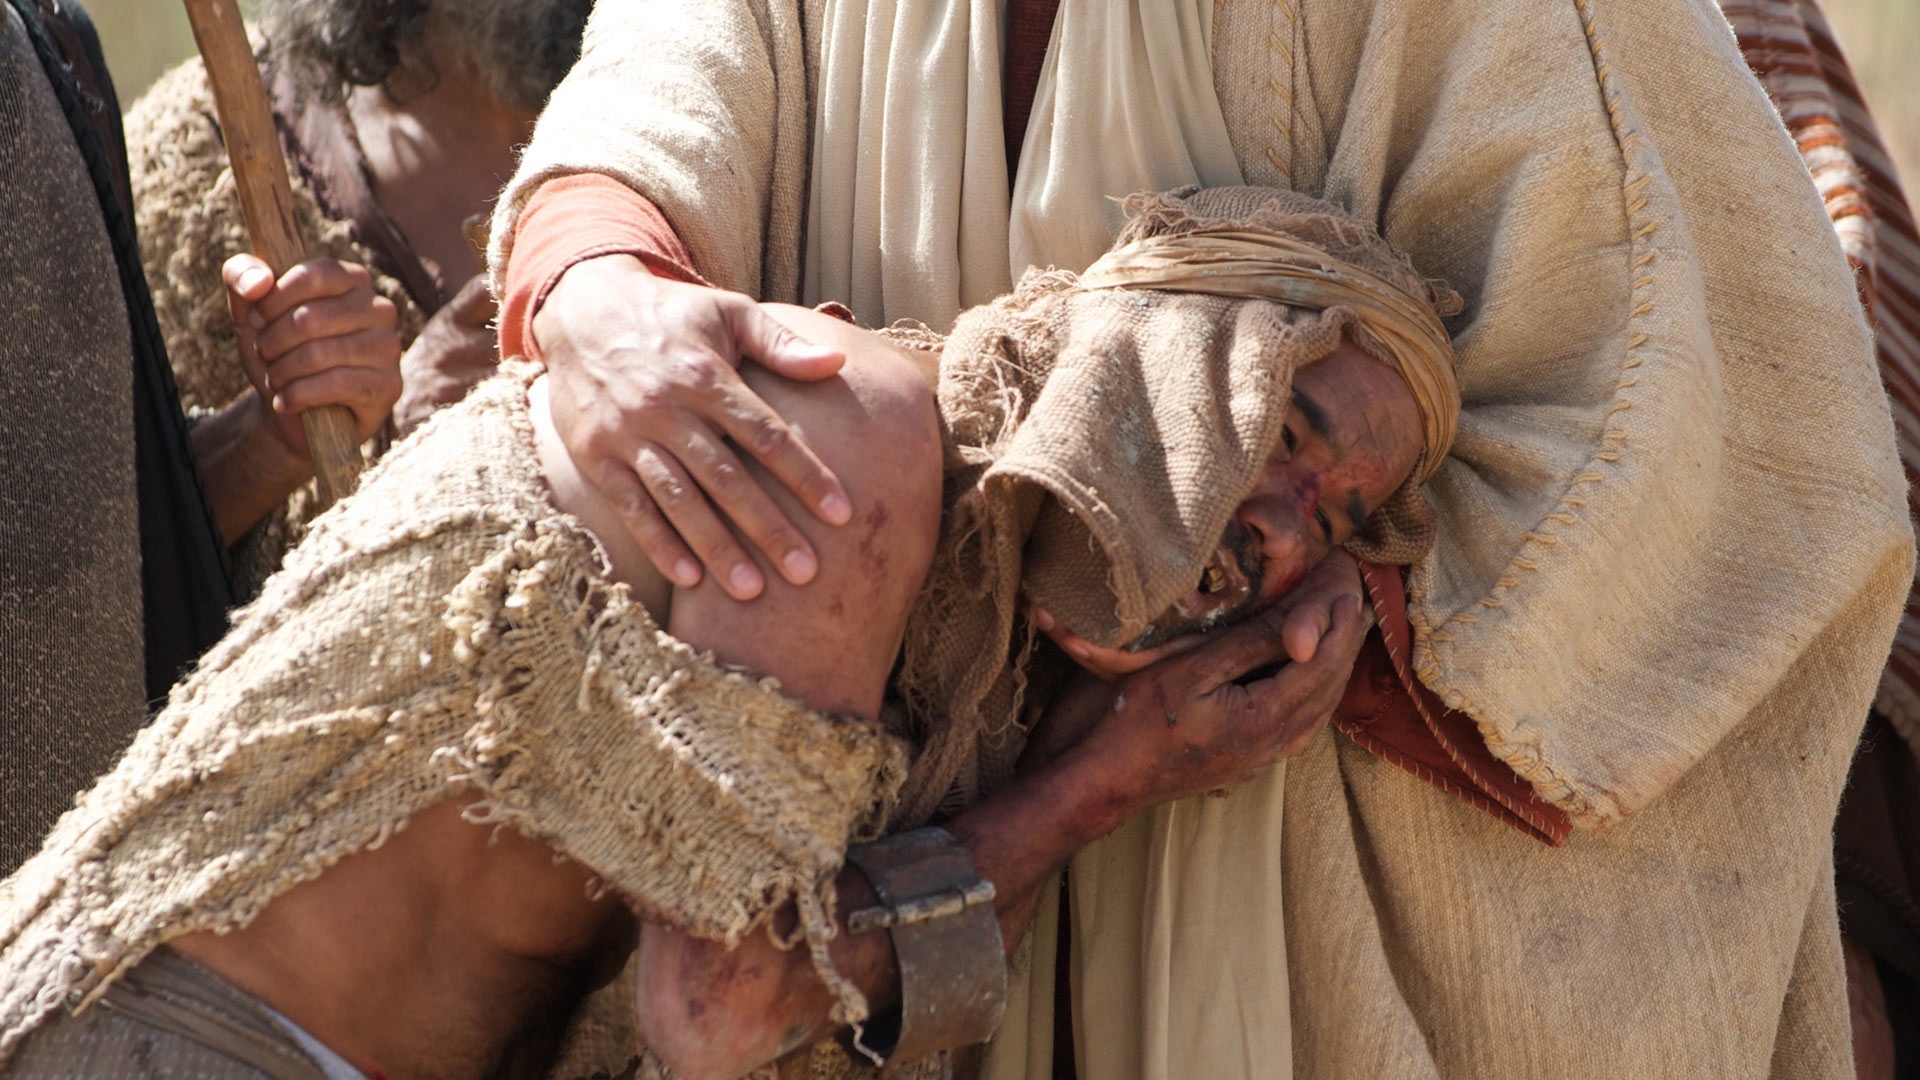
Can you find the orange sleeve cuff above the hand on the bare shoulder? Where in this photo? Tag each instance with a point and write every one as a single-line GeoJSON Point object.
{"type": "Point", "coordinates": [569, 222]}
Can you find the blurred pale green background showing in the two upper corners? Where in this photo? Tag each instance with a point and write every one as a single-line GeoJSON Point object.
{"type": "Point", "coordinates": [1883, 39]}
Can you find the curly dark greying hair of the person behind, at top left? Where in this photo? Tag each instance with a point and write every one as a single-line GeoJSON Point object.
{"type": "Point", "coordinates": [521, 47]}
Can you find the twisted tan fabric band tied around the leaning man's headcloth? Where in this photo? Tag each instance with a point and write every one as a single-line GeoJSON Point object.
{"type": "Point", "coordinates": [1262, 266]}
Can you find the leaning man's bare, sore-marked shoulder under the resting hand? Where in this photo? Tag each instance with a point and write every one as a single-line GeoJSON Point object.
{"type": "Point", "coordinates": [832, 641]}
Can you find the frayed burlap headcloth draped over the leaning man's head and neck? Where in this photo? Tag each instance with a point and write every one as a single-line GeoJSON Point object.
{"type": "Point", "coordinates": [1099, 443]}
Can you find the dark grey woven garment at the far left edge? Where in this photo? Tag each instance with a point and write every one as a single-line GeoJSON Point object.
{"type": "Point", "coordinates": [72, 679]}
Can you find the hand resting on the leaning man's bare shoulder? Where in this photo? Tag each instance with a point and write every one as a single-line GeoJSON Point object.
{"type": "Point", "coordinates": [652, 406]}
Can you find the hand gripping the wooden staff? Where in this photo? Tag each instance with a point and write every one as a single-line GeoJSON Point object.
{"type": "Point", "coordinates": [318, 337]}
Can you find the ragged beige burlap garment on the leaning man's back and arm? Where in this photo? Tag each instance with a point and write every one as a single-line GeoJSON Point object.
{"type": "Point", "coordinates": [448, 631]}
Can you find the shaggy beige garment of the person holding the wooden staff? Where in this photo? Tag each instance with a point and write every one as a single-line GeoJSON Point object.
{"type": "Point", "coordinates": [187, 210]}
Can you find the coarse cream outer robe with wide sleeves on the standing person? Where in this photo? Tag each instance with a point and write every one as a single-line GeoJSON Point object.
{"type": "Point", "coordinates": [1673, 526]}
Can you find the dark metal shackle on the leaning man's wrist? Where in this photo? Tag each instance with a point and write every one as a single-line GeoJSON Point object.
{"type": "Point", "coordinates": [946, 941]}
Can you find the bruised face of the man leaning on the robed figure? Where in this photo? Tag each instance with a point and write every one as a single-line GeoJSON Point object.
{"type": "Point", "coordinates": [1353, 437]}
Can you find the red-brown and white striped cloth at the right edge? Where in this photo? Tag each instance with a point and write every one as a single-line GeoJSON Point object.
{"type": "Point", "coordinates": [1792, 51]}
